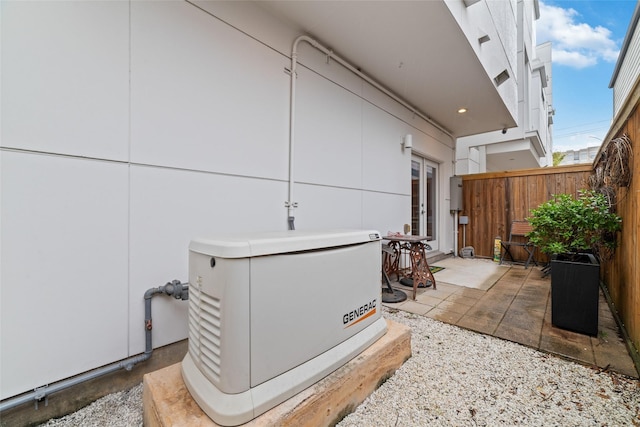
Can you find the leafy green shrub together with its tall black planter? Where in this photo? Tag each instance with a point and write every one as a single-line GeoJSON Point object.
{"type": "Point", "coordinates": [573, 231]}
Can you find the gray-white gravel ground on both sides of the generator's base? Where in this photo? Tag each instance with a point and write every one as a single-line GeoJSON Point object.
{"type": "Point", "coordinates": [455, 377]}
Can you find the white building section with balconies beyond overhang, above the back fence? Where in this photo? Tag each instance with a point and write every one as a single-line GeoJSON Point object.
{"type": "Point", "coordinates": [529, 144]}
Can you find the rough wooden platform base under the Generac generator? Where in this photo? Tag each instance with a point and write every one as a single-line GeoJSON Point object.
{"type": "Point", "coordinates": [167, 401]}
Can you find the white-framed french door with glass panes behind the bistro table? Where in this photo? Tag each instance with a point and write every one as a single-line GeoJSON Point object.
{"type": "Point", "coordinates": [424, 199]}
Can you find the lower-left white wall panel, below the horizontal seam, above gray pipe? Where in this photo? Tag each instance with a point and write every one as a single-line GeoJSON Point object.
{"type": "Point", "coordinates": [64, 268]}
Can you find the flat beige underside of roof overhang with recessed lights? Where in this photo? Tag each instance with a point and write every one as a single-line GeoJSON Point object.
{"type": "Point", "coordinates": [415, 49]}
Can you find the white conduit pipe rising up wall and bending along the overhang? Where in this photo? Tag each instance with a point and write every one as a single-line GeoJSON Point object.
{"type": "Point", "coordinates": [290, 204]}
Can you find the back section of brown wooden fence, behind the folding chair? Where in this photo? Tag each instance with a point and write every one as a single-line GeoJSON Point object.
{"type": "Point", "coordinates": [493, 200]}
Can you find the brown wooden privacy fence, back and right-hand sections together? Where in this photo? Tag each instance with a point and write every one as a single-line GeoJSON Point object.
{"type": "Point", "coordinates": [493, 200]}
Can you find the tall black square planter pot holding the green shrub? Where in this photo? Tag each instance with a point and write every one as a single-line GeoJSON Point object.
{"type": "Point", "coordinates": [575, 293]}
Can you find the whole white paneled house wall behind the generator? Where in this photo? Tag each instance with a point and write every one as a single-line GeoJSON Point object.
{"type": "Point", "coordinates": [130, 128]}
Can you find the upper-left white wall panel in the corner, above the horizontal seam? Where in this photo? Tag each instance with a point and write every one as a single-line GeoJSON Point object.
{"type": "Point", "coordinates": [65, 77]}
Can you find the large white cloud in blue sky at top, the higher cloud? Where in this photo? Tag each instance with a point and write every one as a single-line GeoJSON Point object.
{"type": "Point", "coordinates": [575, 44]}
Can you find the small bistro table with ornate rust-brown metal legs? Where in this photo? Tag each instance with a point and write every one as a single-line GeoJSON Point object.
{"type": "Point", "coordinates": [416, 248]}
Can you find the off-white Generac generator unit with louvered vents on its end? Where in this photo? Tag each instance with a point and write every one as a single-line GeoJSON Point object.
{"type": "Point", "coordinates": [271, 314]}
